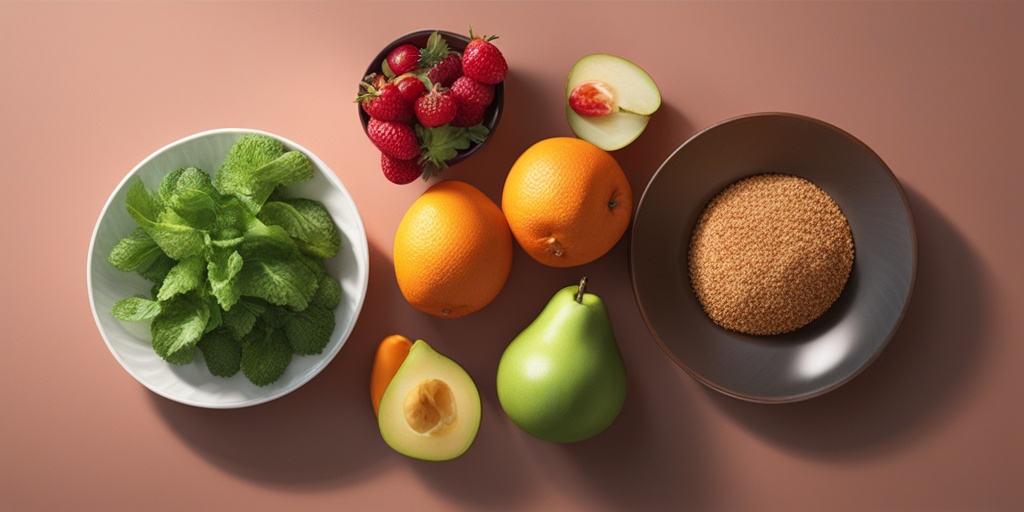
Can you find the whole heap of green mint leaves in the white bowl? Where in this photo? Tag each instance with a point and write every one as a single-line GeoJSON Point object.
{"type": "Point", "coordinates": [237, 265]}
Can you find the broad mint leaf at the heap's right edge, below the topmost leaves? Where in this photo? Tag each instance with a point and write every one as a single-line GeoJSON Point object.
{"type": "Point", "coordinates": [307, 222]}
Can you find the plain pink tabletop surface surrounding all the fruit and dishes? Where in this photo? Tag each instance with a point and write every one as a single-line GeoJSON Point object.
{"type": "Point", "coordinates": [91, 90]}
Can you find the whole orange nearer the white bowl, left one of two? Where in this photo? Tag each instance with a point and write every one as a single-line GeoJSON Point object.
{"type": "Point", "coordinates": [453, 250]}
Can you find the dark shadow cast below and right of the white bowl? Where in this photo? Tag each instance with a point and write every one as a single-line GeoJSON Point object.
{"type": "Point", "coordinates": [322, 435]}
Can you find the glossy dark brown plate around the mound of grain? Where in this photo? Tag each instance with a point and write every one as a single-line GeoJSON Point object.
{"type": "Point", "coordinates": [831, 351]}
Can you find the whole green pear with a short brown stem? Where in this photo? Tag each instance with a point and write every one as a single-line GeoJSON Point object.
{"type": "Point", "coordinates": [563, 379]}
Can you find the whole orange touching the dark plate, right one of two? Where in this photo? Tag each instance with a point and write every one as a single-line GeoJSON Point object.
{"type": "Point", "coordinates": [567, 201]}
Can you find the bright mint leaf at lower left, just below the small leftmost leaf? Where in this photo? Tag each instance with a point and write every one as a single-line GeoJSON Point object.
{"type": "Point", "coordinates": [179, 327]}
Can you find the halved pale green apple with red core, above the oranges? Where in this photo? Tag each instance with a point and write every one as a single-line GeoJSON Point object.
{"type": "Point", "coordinates": [610, 101]}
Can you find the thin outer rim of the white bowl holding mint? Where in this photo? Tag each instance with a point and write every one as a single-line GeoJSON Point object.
{"type": "Point", "coordinates": [362, 255]}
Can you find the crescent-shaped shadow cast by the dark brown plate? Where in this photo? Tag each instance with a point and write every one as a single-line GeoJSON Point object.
{"type": "Point", "coordinates": [924, 375]}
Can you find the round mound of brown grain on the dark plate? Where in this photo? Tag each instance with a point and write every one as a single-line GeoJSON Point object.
{"type": "Point", "coordinates": [771, 254]}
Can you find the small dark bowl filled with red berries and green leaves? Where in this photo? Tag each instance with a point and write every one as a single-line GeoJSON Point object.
{"type": "Point", "coordinates": [431, 100]}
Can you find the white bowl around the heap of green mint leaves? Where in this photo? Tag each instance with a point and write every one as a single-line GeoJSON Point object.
{"type": "Point", "coordinates": [131, 343]}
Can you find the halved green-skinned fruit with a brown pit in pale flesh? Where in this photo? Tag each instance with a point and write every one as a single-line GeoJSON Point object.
{"type": "Point", "coordinates": [432, 409]}
